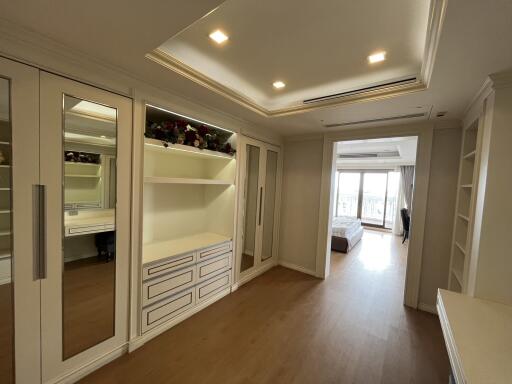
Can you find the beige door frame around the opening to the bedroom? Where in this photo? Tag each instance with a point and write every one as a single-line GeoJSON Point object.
{"type": "Point", "coordinates": [424, 132]}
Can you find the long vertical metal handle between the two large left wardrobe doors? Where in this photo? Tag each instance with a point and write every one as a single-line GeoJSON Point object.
{"type": "Point", "coordinates": [39, 231]}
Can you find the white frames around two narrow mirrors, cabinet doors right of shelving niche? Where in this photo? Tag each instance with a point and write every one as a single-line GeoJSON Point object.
{"type": "Point", "coordinates": [259, 265]}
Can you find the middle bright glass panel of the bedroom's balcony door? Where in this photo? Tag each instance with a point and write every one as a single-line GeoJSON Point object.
{"type": "Point", "coordinates": [374, 198]}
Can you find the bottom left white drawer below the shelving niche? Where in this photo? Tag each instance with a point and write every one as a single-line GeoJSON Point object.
{"type": "Point", "coordinates": [165, 310]}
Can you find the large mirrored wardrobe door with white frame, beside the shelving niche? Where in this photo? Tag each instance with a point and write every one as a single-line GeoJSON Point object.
{"type": "Point", "coordinates": [85, 167]}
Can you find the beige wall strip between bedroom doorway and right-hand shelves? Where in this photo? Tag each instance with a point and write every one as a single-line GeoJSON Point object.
{"type": "Point", "coordinates": [442, 191]}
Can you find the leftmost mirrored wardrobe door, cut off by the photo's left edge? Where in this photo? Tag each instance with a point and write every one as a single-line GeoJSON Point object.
{"type": "Point", "coordinates": [19, 243]}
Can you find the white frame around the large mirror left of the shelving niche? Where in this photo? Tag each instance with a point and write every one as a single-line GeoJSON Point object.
{"type": "Point", "coordinates": [54, 369]}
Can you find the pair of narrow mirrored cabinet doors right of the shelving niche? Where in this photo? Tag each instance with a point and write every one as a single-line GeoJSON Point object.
{"type": "Point", "coordinates": [259, 205]}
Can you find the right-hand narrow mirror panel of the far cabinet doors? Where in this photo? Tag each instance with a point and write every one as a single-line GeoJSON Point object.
{"type": "Point", "coordinates": [269, 205]}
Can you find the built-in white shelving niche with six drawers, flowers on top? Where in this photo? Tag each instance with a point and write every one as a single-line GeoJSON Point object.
{"type": "Point", "coordinates": [188, 224]}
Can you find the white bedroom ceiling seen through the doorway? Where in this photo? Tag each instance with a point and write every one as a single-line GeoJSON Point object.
{"type": "Point", "coordinates": [405, 146]}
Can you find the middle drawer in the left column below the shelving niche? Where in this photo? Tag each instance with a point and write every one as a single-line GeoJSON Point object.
{"type": "Point", "coordinates": [166, 285]}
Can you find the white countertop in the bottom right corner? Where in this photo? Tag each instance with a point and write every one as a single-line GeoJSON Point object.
{"type": "Point", "coordinates": [478, 335]}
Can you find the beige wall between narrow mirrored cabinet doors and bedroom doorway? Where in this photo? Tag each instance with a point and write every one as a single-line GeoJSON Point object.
{"type": "Point", "coordinates": [302, 173]}
